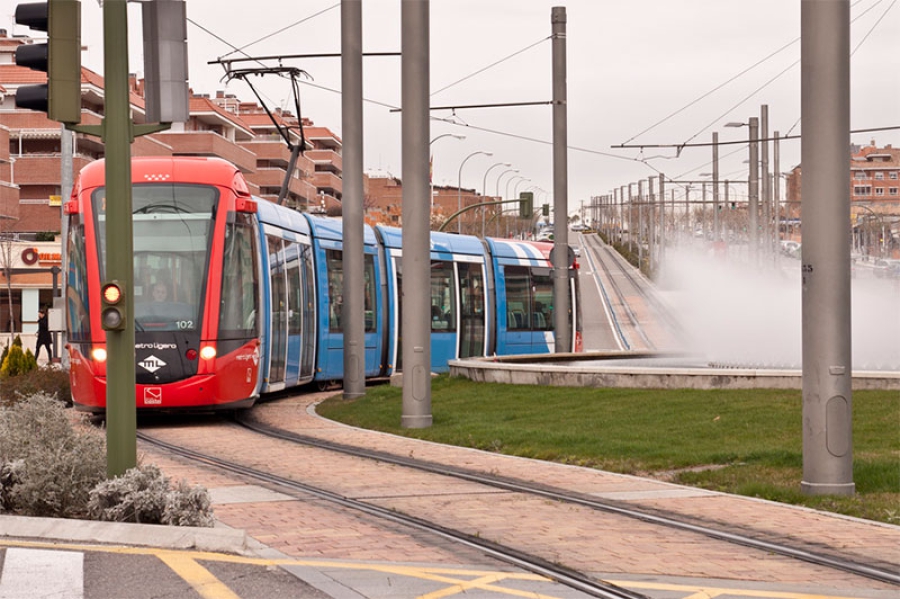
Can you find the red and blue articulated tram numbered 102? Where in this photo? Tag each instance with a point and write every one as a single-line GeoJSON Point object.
{"type": "Point", "coordinates": [235, 296]}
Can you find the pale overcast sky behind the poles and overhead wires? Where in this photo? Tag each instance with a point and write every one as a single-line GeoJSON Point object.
{"type": "Point", "coordinates": [639, 72]}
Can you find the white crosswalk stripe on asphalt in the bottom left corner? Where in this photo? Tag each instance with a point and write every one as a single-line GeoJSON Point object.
{"type": "Point", "coordinates": [42, 573]}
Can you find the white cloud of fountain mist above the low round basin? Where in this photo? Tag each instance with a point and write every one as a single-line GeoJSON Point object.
{"type": "Point", "coordinates": [737, 315]}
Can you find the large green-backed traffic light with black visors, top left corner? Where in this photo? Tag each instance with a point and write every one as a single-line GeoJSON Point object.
{"type": "Point", "coordinates": [60, 58]}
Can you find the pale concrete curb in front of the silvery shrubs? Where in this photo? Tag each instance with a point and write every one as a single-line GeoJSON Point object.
{"type": "Point", "coordinates": [218, 539]}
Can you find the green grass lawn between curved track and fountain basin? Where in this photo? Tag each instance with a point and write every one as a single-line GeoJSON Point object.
{"type": "Point", "coordinates": [747, 442]}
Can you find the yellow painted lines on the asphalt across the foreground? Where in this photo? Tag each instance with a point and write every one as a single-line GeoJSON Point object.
{"type": "Point", "coordinates": [180, 561]}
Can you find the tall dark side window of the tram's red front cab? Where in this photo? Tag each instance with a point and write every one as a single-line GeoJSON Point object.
{"type": "Point", "coordinates": [238, 312]}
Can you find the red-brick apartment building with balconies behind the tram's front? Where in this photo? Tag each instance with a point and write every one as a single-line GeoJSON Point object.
{"type": "Point", "coordinates": [221, 126]}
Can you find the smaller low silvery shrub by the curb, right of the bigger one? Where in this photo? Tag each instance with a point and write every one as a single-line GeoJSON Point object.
{"type": "Point", "coordinates": [143, 495]}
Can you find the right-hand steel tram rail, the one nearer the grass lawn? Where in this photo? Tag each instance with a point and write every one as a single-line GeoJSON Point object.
{"type": "Point", "coordinates": [565, 496]}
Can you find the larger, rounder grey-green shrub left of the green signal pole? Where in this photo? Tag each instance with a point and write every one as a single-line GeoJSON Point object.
{"type": "Point", "coordinates": [50, 467]}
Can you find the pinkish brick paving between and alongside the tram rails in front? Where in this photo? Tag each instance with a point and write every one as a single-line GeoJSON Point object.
{"type": "Point", "coordinates": [574, 536]}
